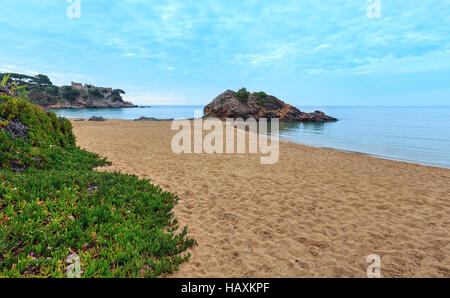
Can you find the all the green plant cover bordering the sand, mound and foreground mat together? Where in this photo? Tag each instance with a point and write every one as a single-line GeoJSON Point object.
{"type": "Point", "coordinates": [52, 204]}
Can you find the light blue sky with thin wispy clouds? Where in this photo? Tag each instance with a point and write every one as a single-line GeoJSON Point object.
{"type": "Point", "coordinates": [308, 53]}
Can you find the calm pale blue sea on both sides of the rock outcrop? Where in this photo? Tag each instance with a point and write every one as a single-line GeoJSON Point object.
{"type": "Point", "coordinates": [412, 134]}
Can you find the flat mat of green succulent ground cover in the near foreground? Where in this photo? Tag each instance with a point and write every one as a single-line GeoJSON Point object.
{"type": "Point", "coordinates": [119, 225]}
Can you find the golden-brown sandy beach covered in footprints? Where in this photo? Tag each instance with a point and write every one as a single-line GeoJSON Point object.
{"type": "Point", "coordinates": [316, 213]}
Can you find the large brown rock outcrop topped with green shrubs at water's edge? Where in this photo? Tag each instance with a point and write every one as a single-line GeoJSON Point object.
{"type": "Point", "coordinates": [259, 105]}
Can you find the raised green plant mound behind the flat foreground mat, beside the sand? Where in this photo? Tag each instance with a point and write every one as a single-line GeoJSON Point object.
{"type": "Point", "coordinates": [50, 144]}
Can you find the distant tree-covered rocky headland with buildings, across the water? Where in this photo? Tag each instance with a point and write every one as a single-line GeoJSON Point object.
{"type": "Point", "coordinates": [40, 90]}
